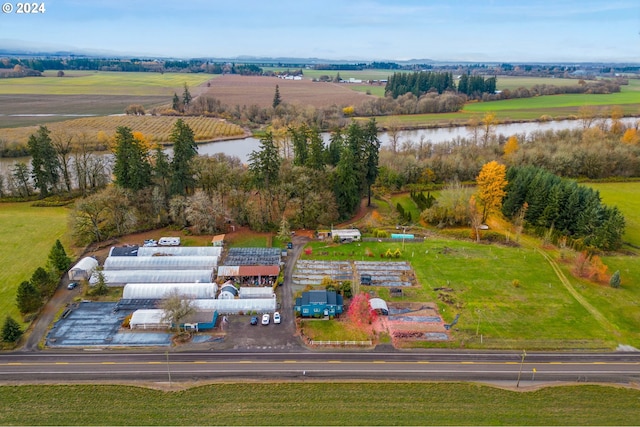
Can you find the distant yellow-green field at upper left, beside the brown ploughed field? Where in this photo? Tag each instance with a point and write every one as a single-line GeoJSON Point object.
{"type": "Point", "coordinates": [103, 83]}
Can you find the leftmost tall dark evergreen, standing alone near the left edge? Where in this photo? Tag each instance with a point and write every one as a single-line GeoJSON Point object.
{"type": "Point", "coordinates": [45, 166]}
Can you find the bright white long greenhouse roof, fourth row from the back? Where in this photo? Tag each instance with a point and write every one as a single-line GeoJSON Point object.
{"type": "Point", "coordinates": [162, 290]}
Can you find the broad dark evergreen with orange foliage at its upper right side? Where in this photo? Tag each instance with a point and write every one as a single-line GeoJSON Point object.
{"type": "Point", "coordinates": [132, 169]}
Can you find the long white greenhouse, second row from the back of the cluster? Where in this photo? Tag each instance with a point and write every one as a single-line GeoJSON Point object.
{"type": "Point", "coordinates": [161, 263]}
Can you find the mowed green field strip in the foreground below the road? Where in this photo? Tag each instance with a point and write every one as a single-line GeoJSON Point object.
{"type": "Point", "coordinates": [319, 404]}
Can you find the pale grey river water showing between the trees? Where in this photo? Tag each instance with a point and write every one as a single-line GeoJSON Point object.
{"type": "Point", "coordinates": [242, 148]}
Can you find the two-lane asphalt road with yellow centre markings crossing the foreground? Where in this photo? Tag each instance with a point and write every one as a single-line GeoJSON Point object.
{"type": "Point", "coordinates": [101, 366]}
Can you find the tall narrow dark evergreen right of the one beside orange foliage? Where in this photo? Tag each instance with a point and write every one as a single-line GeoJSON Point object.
{"type": "Point", "coordinates": [184, 150]}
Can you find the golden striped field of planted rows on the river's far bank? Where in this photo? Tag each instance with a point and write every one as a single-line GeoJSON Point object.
{"type": "Point", "coordinates": [156, 128]}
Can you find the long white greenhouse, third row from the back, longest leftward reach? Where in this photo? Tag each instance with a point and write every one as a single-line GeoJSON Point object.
{"type": "Point", "coordinates": [123, 277]}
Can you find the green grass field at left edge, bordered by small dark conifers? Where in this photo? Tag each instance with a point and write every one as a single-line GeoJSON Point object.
{"type": "Point", "coordinates": [27, 235]}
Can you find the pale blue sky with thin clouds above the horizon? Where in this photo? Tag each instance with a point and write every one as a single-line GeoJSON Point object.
{"type": "Point", "coordinates": [365, 30]}
